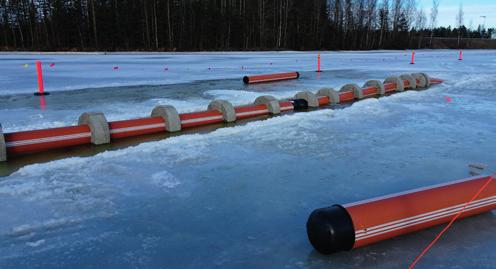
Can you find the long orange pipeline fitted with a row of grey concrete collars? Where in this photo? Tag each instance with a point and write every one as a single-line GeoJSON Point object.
{"type": "Point", "coordinates": [93, 127]}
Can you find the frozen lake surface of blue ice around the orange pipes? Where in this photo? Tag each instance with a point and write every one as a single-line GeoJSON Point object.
{"type": "Point", "coordinates": [239, 197]}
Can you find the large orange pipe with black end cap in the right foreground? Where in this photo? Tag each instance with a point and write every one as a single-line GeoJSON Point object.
{"type": "Point", "coordinates": [345, 227]}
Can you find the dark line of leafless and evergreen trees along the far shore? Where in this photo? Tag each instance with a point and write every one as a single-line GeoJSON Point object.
{"type": "Point", "coordinates": [192, 25]}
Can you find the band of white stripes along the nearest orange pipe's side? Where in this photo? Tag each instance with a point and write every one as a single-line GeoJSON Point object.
{"type": "Point", "coordinates": [416, 220]}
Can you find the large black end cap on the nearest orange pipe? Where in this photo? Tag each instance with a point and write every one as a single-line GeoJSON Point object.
{"type": "Point", "coordinates": [331, 230]}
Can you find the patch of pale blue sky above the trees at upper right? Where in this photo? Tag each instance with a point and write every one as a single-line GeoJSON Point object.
{"type": "Point", "coordinates": [472, 9]}
